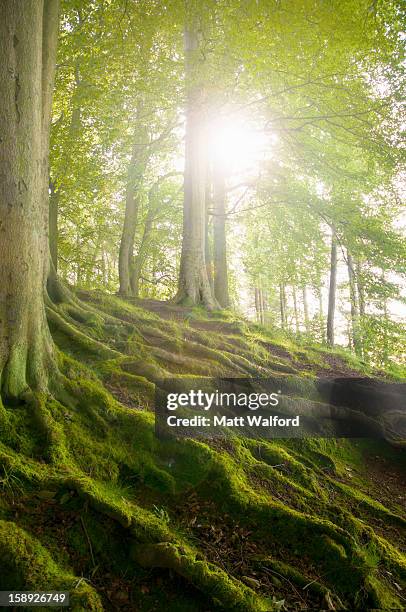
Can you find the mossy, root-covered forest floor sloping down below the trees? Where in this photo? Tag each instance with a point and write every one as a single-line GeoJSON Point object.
{"type": "Point", "coordinates": [92, 502]}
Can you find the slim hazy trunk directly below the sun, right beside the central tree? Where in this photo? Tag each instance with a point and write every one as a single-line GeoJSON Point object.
{"type": "Point", "coordinates": [219, 240]}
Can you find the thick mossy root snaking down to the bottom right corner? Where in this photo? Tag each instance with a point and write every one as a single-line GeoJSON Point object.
{"type": "Point", "coordinates": [333, 548]}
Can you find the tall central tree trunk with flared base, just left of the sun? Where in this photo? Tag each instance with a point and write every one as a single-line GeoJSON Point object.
{"type": "Point", "coordinates": [194, 286]}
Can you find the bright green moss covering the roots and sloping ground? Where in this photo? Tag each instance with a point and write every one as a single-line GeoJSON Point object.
{"type": "Point", "coordinates": [85, 446]}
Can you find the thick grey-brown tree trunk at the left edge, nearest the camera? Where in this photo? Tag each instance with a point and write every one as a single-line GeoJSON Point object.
{"type": "Point", "coordinates": [28, 31]}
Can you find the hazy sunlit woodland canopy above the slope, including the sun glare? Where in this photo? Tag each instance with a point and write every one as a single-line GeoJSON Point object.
{"type": "Point", "coordinates": [300, 109]}
